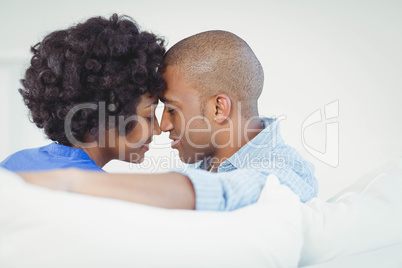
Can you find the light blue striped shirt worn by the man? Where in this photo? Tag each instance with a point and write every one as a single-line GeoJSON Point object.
{"type": "Point", "coordinates": [241, 177]}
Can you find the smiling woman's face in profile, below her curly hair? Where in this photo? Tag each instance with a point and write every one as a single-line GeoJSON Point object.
{"type": "Point", "coordinates": [132, 147]}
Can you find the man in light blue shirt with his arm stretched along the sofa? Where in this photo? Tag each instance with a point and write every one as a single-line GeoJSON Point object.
{"type": "Point", "coordinates": [213, 82]}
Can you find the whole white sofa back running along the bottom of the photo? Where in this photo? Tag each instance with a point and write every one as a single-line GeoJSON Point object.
{"type": "Point", "coordinates": [359, 226]}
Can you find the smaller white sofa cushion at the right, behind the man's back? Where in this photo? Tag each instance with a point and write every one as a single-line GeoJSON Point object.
{"type": "Point", "coordinates": [364, 217]}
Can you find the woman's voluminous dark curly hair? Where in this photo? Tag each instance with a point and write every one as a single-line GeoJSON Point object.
{"type": "Point", "coordinates": [99, 60]}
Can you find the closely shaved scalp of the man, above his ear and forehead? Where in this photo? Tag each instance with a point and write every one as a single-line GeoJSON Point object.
{"type": "Point", "coordinates": [217, 62]}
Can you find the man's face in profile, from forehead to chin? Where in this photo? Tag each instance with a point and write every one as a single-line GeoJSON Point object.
{"type": "Point", "coordinates": [182, 116]}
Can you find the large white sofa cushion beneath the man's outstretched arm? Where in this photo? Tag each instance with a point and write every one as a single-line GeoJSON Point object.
{"type": "Point", "coordinates": [44, 228]}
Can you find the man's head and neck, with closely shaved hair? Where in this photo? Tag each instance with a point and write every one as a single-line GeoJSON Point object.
{"type": "Point", "coordinates": [213, 82]}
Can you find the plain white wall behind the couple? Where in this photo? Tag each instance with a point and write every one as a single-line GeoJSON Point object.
{"type": "Point", "coordinates": [314, 53]}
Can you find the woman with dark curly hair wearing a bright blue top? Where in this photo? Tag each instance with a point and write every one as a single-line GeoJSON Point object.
{"type": "Point", "coordinates": [93, 89]}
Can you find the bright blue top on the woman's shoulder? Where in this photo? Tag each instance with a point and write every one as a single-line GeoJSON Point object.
{"type": "Point", "coordinates": [52, 156]}
